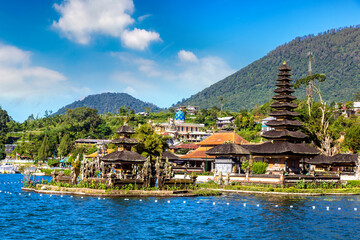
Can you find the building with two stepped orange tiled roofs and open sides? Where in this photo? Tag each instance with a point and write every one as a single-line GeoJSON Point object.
{"type": "Point", "coordinates": [199, 160]}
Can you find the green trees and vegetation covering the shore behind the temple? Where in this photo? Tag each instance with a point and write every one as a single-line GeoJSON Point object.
{"type": "Point", "coordinates": [53, 136]}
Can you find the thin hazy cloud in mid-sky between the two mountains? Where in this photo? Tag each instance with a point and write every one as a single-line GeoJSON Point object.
{"type": "Point", "coordinates": [187, 78]}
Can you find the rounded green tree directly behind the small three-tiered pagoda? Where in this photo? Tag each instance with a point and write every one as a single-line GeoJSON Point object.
{"type": "Point", "coordinates": [150, 143]}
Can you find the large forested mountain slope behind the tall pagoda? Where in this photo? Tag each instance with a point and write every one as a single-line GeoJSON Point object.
{"type": "Point", "coordinates": [336, 53]}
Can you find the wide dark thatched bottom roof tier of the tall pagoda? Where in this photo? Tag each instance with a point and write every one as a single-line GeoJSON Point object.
{"type": "Point", "coordinates": [282, 148]}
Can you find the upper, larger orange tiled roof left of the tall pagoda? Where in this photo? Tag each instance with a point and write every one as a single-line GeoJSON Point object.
{"type": "Point", "coordinates": [222, 137]}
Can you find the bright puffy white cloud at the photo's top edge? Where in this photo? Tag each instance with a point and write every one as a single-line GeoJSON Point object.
{"type": "Point", "coordinates": [82, 19]}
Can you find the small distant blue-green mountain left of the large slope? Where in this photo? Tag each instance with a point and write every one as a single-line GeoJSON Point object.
{"type": "Point", "coordinates": [110, 102]}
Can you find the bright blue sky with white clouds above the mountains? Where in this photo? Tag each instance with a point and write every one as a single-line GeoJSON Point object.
{"type": "Point", "coordinates": [55, 52]}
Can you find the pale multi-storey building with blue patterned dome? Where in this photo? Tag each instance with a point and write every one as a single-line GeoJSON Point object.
{"type": "Point", "coordinates": [181, 131]}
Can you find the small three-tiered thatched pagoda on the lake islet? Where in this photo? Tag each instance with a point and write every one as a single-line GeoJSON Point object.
{"type": "Point", "coordinates": [124, 159]}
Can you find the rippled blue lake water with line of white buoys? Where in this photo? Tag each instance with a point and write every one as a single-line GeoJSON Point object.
{"type": "Point", "coordinates": [263, 217]}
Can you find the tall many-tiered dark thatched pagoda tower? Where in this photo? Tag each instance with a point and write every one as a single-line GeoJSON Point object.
{"type": "Point", "coordinates": [285, 149]}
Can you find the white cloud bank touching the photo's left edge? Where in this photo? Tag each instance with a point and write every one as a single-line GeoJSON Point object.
{"type": "Point", "coordinates": [19, 80]}
